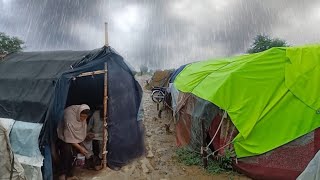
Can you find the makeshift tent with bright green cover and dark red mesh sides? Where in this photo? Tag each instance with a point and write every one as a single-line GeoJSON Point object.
{"type": "Point", "coordinates": [271, 98]}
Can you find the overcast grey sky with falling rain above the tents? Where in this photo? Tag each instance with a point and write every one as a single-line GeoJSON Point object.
{"type": "Point", "coordinates": [159, 33]}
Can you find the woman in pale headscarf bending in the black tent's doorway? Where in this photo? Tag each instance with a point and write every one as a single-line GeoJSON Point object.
{"type": "Point", "coordinates": [71, 132]}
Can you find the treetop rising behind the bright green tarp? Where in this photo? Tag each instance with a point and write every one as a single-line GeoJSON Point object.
{"type": "Point", "coordinates": [264, 42]}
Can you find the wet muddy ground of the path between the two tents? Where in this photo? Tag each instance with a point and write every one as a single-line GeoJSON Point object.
{"type": "Point", "coordinates": [160, 161]}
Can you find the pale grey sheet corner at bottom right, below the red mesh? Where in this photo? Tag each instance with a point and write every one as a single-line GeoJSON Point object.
{"type": "Point", "coordinates": [312, 171]}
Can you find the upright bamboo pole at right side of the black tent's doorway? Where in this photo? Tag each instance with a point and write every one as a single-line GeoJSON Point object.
{"type": "Point", "coordinates": [105, 122]}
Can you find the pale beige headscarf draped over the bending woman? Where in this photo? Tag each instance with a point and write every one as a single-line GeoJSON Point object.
{"type": "Point", "coordinates": [72, 129]}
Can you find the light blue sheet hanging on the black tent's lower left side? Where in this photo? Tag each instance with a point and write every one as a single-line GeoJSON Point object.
{"type": "Point", "coordinates": [24, 140]}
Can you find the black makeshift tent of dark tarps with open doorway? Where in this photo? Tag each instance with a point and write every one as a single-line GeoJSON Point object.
{"type": "Point", "coordinates": [37, 86]}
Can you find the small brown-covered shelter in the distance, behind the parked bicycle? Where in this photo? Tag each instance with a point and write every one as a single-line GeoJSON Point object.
{"type": "Point", "coordinates": [159, 79]}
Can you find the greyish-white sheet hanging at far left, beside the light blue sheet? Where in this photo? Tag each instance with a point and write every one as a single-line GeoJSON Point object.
{"type": "Point", "coordinates": [6, 155]}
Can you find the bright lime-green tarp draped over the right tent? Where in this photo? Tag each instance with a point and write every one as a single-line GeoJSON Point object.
{"type": "Point", "coordinates": [272, 97]}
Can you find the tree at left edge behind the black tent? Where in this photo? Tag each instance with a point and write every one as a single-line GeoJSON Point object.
{"type": "Point", "coordinates": [9, 44]}
